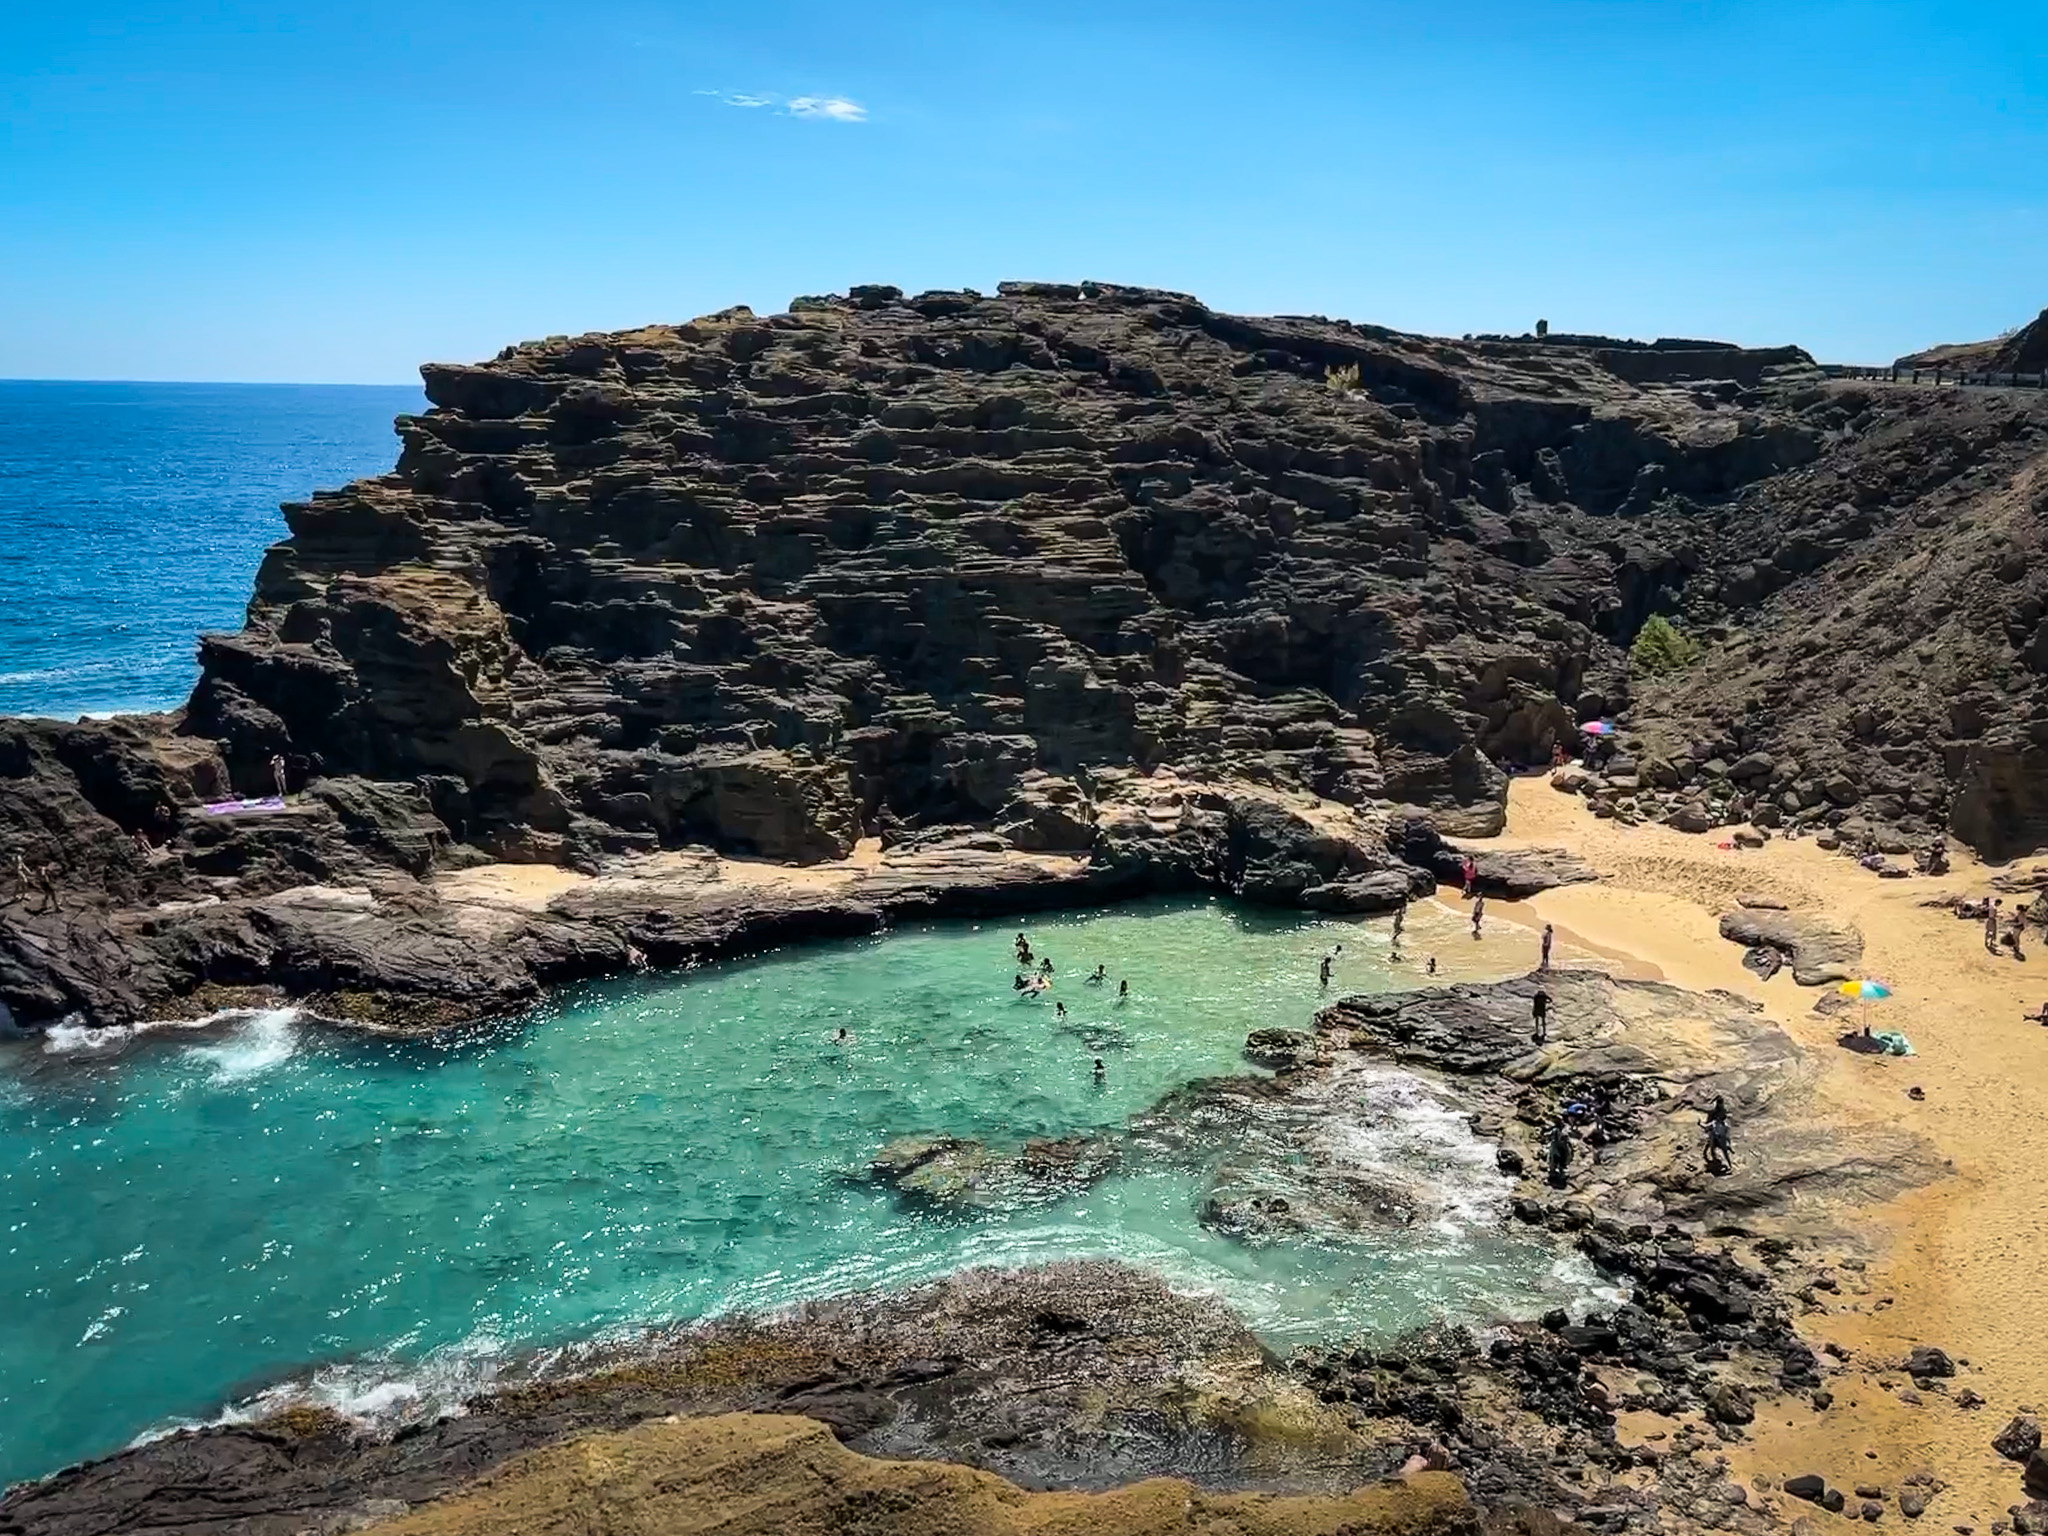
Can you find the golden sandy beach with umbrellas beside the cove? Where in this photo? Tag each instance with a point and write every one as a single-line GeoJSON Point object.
{"type": "Point", "coordinates": [1957, 1265]}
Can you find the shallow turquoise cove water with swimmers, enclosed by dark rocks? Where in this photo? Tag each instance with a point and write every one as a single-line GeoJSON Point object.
{"type": "Point", "coordinates": [196, 1218]}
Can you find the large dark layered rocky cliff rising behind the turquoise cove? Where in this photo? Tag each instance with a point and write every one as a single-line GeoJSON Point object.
{"type": "Point", "coordinates": [1086, 574]}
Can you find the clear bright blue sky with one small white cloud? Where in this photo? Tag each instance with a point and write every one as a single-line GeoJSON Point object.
{"type": "Point", "coordinates": [220, 189]}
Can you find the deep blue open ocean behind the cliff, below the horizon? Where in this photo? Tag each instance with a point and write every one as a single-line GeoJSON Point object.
{"type": "Point", "coordinates": [134, 515]}
